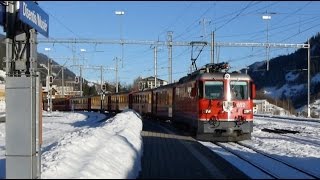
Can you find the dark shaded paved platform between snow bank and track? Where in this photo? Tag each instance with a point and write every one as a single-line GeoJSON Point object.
{"type": "Point", "coordinates": [168, 155]}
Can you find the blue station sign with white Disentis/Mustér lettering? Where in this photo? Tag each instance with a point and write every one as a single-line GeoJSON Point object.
{"type": "Point", "coordinates": [31, 14]}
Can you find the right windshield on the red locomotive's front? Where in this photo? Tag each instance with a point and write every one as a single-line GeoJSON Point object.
{"type": "Point", "coordinates": [239, 90]}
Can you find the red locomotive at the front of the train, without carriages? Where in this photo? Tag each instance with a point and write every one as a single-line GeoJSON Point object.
{"type": "Point", "coordinates": [218, 105]}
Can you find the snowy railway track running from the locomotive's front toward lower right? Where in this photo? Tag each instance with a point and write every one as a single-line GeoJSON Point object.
{"type": "Point", "coordinates": [271, 166]}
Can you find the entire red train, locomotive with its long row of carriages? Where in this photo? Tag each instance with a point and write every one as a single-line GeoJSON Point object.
{"type": "Point", "coordinates": [216, 104]}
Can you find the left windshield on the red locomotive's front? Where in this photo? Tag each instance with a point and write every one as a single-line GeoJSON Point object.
{"type": "Point", "coordinates": [213, 89]}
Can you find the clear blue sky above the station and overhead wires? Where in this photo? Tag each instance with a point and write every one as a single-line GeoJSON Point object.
{"type": "Point", "coordinates": [232, 21]}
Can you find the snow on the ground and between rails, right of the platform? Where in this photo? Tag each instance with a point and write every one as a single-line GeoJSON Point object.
{"type": "Point", "coordinates": [301, 149]}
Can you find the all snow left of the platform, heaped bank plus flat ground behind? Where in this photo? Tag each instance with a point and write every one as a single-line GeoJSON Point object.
{"type": "Point", "coordinates": [80, 145]}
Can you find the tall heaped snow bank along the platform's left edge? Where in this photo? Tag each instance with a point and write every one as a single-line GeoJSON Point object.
{"type": "Point", "coordinates": [112, 149]}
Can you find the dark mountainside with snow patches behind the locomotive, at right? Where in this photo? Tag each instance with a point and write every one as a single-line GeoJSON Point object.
{"type": "Point", "coordinates": [287, 77]}
